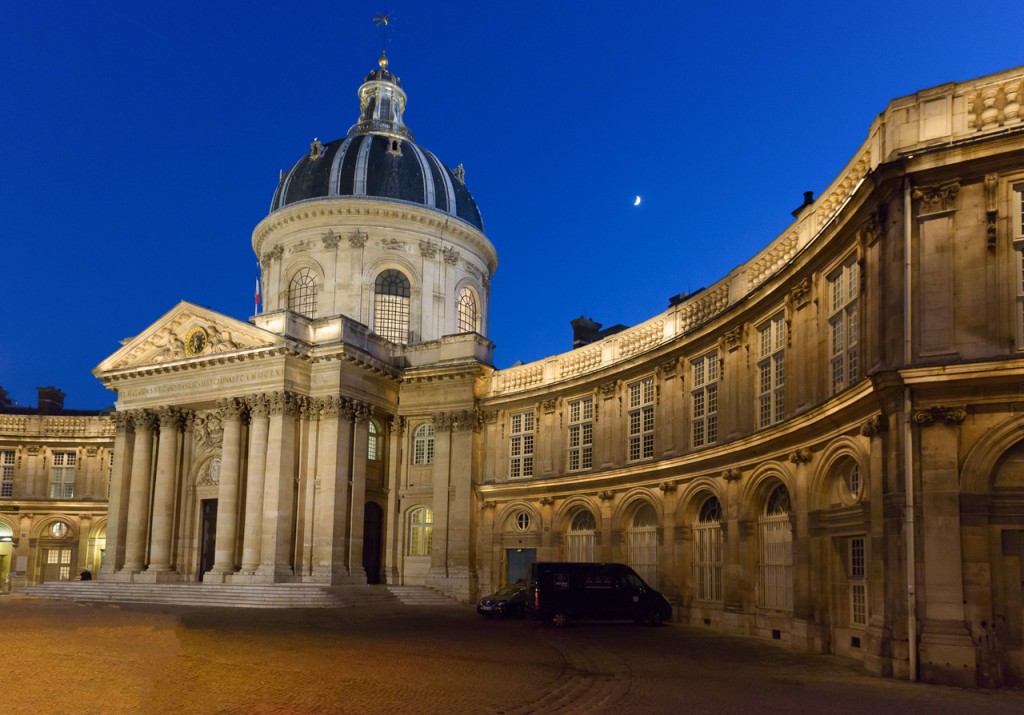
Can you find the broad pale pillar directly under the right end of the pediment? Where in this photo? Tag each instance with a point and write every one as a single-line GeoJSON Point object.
{"type": "Point", "coordinates": [279, 489]}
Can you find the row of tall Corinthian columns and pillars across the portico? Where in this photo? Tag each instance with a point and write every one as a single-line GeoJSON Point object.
{"type": "Point", "coordinates": [291, 491]}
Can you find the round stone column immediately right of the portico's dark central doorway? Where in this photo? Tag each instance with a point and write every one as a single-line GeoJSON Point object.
{"type": "Point", "coordinates": [228, 494]}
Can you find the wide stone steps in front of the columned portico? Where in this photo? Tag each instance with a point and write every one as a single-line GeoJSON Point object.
{"type": "Point", "coordinates": [224, 596]}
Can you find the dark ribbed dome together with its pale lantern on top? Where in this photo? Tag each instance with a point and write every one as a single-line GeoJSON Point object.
{"type": "Point", "coordinates": [378, 159]}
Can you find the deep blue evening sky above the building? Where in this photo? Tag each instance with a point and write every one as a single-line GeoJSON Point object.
{"type": "Point", "coordinates": [142, 144]}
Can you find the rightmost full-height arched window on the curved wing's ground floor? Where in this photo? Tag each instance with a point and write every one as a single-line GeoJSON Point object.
{"type": "Point", "coordinates": [776, 562]}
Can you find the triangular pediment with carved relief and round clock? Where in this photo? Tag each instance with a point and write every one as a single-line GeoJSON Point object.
{"type": "Point", "coordinates": [188, 333]}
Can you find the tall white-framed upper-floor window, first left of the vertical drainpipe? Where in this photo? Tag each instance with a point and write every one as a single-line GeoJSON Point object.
{"type": "Point", "coordinates": [844, 324]}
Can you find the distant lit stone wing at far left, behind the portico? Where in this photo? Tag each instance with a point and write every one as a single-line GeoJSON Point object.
{"type": "Point", "coordinates": [55, 469]}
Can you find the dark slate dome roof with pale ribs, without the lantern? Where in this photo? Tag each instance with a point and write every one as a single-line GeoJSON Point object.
{"type": "Point", "coordinates": [377, 166]}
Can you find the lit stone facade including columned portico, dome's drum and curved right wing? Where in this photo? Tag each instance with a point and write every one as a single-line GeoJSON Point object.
{"type": "Point", "coordinates": [824, 448]}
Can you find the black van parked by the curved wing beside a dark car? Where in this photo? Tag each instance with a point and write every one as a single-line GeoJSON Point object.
{"type": "Point", "coordinates": [559, 593]}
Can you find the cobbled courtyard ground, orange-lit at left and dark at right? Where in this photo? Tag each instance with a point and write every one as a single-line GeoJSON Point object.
{"type": "Point", "coordinates": [67, 658]}
